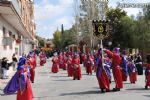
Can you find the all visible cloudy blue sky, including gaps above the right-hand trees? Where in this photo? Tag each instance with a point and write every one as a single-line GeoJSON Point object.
{"type": "Point", "coordinates": [50, 14]}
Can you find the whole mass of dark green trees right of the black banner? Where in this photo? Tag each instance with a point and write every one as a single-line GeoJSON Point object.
{"type": "Point", "coordinates": [127, 31]}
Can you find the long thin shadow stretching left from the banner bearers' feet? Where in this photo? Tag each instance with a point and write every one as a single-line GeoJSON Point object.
{"type": "Point", "coordinates": [81, 93]}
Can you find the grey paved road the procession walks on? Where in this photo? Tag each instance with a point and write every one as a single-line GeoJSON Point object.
{"type": "Point", "coordinates": [49, 86]}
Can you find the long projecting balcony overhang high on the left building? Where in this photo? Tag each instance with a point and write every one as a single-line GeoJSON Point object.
{"type": "Point", "coordinates": [10, 14]}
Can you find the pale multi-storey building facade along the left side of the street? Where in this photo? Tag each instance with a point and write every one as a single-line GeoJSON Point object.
{"type": "Point", "coordinates": [17, 27]}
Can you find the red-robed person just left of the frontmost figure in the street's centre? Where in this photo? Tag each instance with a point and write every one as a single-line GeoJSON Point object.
{"type": "Point", "coordinates": [69, 66]}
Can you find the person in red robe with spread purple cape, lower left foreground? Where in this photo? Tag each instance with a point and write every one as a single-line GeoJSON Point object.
{"type": "Point", "coordinates": [20, 83]}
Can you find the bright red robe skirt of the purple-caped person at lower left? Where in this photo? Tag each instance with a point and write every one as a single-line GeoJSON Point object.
{"type": "Point", "coordinates": [27, 94]}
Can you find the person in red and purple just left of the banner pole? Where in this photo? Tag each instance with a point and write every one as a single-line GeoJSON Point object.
{"type": "Point", "coordinates": [101, 73]}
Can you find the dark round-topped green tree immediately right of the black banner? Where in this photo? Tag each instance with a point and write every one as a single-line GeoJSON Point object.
{"type": "Point", "coordinates": [117, 18]}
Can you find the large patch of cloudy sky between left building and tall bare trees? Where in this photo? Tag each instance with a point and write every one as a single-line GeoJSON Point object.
{"type": "Point", "coordinates": [50, 16]}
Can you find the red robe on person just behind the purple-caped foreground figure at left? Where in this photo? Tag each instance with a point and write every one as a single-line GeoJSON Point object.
{"type": "Point", "coordinates": [32, 70]}
